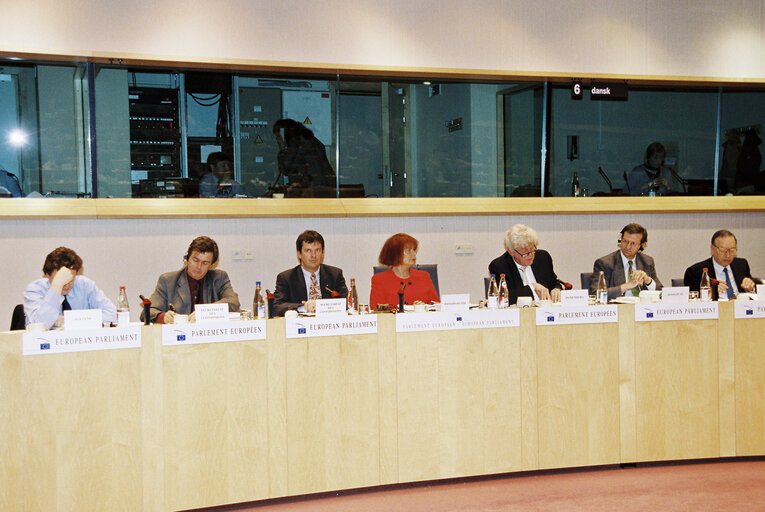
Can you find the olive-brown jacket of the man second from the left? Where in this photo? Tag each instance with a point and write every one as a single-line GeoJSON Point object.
{"type": "Point", "coordinates": [173, 288]}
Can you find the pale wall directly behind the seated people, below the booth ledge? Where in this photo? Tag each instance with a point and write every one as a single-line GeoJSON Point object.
{"type": "Point", "coordinates": [133, 252]}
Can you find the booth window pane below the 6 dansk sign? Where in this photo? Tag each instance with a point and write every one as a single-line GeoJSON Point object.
{"type": "Point", "coordinates": [605, 143]}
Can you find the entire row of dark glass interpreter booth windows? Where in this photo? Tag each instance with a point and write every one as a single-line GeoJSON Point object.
{"type": "Point", "coordinates": [96, 130]}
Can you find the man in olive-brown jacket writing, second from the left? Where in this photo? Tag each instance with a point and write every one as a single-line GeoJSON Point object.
{"type": "Point", "coordinates": [196, 283]}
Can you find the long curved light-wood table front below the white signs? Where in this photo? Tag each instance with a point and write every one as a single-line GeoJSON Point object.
{"type": "Point", "coordinates": [172, 428]}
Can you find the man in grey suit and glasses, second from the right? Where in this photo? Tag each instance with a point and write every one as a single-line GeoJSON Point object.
{"type": "Point", "coordinates": [628, 270]}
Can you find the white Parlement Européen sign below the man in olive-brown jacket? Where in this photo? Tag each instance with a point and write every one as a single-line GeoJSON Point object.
{"type": "Point", "coordinates": [213, 332]}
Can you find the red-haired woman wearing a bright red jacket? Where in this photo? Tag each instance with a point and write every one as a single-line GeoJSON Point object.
{"type": "Point", "coordinates": [400, 253]}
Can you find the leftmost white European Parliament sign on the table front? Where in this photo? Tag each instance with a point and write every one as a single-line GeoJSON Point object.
{"type": "Point", "coordinates": [59, 342]}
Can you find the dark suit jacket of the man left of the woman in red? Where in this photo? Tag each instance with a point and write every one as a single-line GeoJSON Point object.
{"type": "Point", "coordinates": [290, 289]}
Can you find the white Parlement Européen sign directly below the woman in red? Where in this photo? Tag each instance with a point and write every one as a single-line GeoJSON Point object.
{"type": "Point", "coordinates": [450, 320]}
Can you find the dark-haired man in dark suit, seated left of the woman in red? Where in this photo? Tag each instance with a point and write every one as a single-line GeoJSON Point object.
{"type": "Point", "coordinates": [299, 287]}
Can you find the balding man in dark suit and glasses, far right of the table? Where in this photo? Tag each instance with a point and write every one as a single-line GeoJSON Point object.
{"type": "Point", "coordinates": [731, 273]}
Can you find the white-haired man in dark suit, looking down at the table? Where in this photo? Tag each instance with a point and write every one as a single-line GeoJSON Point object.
{"type": "Point", "coordinates": [528, 270]}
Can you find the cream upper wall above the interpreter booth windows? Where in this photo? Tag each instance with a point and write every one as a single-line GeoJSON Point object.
{"type": "Point", "coordinates": [636, 37]}
